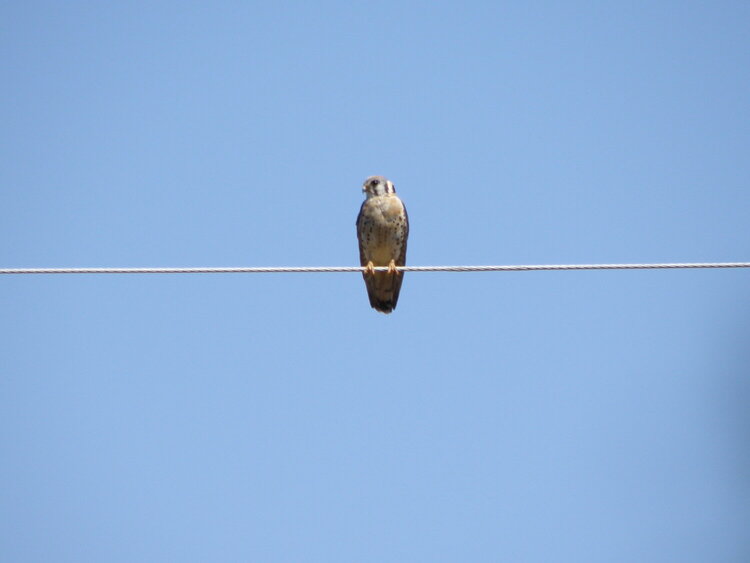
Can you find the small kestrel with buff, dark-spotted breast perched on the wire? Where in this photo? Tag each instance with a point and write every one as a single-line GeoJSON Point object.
{"type": "Point", "coordinates": [382, 230]}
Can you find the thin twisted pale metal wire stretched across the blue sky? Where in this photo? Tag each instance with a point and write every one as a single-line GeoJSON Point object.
{"type": "Point", "coordinates": [327, 269]}
